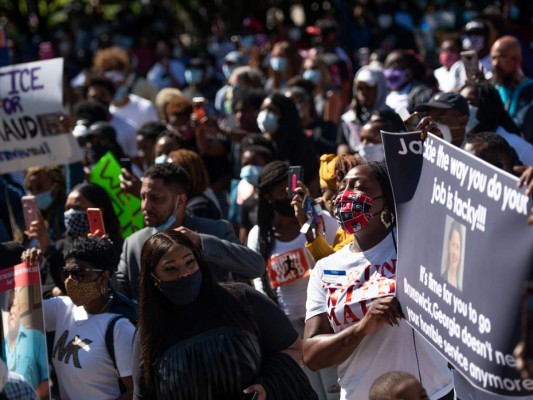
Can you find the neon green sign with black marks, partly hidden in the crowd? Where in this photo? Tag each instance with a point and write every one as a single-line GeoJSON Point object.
{"type": "Point", "coordinates": [127, 207]}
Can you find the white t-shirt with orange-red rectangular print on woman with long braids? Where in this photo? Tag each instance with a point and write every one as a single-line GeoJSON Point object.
{"type": "Point", "coordinates": [288, 268]}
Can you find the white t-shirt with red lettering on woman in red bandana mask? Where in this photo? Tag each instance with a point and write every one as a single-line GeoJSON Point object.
{"type": "Point", "coordinates": [343, 286]}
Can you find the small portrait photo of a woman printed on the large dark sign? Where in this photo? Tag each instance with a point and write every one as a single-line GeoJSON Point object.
{"type": "Point", "coordinates": [453, 253]}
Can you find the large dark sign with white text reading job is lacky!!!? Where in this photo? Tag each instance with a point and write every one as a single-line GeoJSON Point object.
{"type": "Point", "coordinates": [464, 253]}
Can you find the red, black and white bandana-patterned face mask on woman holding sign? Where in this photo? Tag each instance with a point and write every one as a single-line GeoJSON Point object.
{"type": "Point", "coordinates": [352, 210]}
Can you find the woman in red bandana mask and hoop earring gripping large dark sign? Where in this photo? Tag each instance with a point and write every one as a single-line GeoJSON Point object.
{"type": "Point", "coordinates": [353, 320]}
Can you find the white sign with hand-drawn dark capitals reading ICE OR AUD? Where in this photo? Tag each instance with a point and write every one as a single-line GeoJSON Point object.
{"type": "Point", "coordinates": [31, 130]}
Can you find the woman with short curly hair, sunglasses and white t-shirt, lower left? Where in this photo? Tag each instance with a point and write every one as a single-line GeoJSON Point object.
{"type": "Point", "coordinates": [81, 351]}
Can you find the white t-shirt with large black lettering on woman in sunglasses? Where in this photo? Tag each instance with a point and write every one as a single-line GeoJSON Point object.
{"type": "Point", "coordinates": [80, 357]}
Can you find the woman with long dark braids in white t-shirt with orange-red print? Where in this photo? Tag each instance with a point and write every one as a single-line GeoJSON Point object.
{"type": "Point", "coordinates": [278, 238]}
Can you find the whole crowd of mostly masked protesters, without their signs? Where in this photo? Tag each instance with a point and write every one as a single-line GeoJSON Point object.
{"type": "Point", "coordinates": [225, 293]}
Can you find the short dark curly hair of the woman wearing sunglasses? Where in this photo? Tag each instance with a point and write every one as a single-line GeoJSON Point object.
{"type": "Point", "coordinates": [96, 251]}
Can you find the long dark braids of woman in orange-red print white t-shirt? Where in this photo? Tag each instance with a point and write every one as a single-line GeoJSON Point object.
{"type": "Point", "coordinates": [273, 173]}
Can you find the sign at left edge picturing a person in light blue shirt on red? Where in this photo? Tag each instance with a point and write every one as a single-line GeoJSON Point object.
{"type": "Point", "coordinates": [24, 344]}
